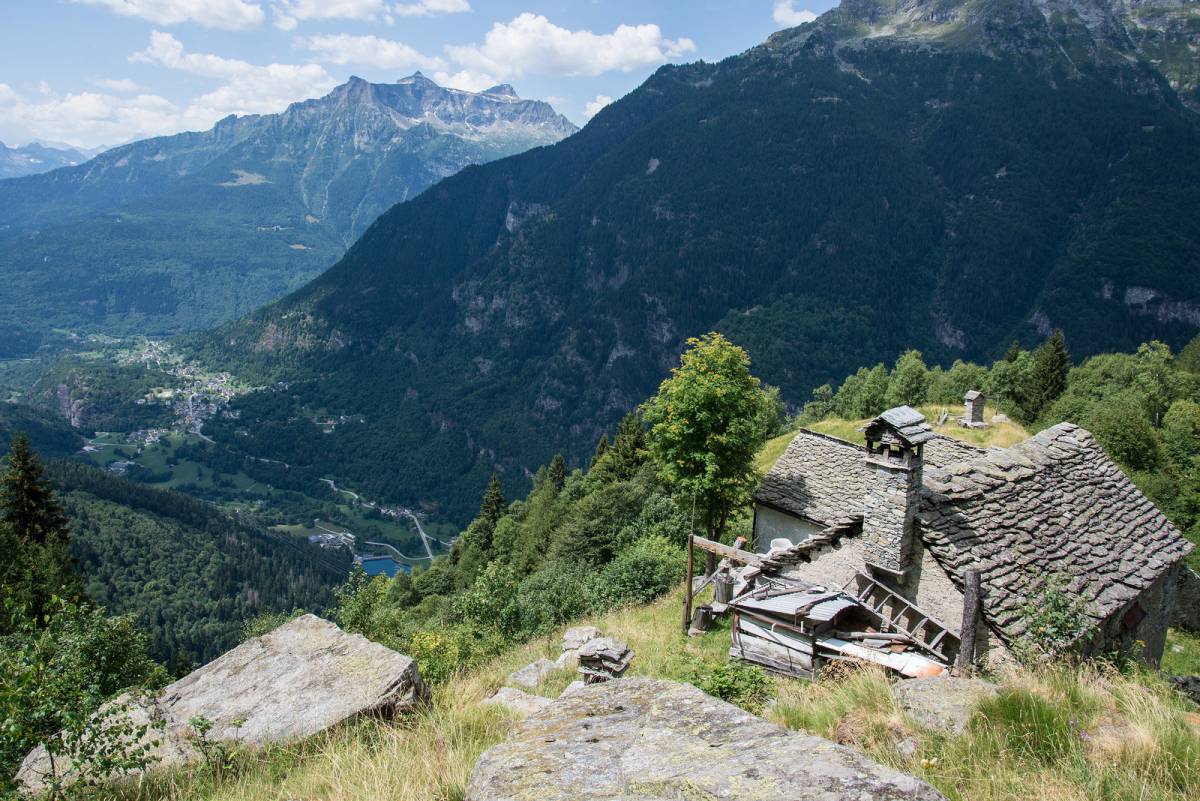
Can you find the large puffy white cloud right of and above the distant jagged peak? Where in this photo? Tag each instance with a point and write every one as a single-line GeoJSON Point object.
{"type": "Point", "coordinates": [531, 44]}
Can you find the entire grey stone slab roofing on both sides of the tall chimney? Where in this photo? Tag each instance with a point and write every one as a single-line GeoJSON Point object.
{"type": "Point", "coordinates": [1053, 504]}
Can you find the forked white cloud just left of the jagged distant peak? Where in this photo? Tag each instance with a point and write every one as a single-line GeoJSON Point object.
{"type": "Point", "coordinates": [249, 89]}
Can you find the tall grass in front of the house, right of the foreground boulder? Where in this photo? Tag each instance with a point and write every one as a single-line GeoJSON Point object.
{"type": "Point", "coordinates": [1058, 733]}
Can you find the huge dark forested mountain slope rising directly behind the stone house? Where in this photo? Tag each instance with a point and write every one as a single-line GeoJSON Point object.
{"type": "Point", "coordinates": [941, 176]}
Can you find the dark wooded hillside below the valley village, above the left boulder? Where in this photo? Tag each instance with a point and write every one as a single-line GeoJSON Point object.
{"type": "Point", "coordinates": [190, 574]}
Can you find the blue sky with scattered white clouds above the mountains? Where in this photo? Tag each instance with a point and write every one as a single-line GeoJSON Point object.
{"type": "Point", "coordinates": [105, 73]}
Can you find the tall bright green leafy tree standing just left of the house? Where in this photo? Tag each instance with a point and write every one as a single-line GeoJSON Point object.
{"type": "Point", "coordinates": [706, 427]}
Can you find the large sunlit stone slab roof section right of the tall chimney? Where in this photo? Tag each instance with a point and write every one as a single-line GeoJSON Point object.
{"type": "Point", "coordinates": [1053, 504]}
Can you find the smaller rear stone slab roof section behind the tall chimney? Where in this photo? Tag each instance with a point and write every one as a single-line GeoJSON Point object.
{"type": "Point", "coordinates": [824, 479]}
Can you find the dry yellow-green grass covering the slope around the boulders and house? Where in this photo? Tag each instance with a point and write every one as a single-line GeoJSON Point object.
{"type": "Point", "coordinates": [1057, 734]}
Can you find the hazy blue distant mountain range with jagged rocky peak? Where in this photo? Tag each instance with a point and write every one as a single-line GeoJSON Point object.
{"type": "Point", "coordinates": [178, 233]}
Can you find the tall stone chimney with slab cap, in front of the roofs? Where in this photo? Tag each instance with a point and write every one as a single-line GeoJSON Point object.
{"type": "Point", "coordinates": [895, 455]}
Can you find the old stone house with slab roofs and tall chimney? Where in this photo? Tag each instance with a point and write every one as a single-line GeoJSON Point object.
{"type": "Point", "coordinates": [916, 511]}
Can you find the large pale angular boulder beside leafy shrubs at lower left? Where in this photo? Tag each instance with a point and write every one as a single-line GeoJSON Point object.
{"type": "Point", "coordinates": [293, 683]}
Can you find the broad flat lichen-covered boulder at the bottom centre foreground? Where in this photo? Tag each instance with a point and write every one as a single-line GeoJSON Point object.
{"type": "Point", "coordinates": [651, 740]}
